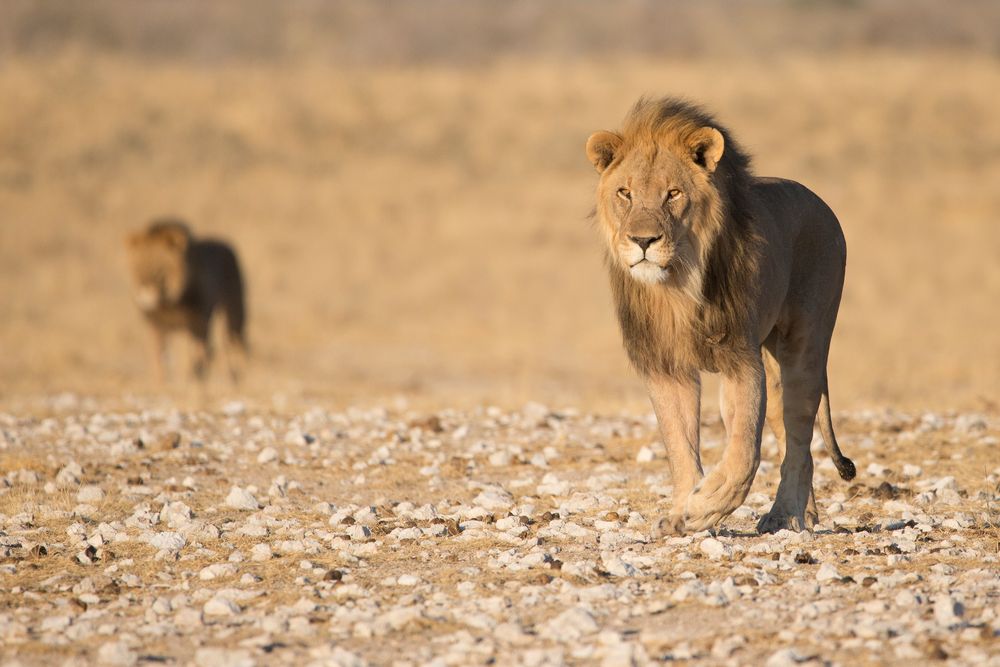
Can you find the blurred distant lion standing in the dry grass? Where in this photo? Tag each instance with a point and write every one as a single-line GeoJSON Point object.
{"type": "Point", "coordinates": [180, 283]}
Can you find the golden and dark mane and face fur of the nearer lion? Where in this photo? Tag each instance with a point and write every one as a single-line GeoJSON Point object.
{"type": "Point", "coordinates": [696, 314]}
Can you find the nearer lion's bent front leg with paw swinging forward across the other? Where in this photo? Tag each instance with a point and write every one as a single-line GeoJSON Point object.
{"type": "Point", "coordinates": [725, 488]}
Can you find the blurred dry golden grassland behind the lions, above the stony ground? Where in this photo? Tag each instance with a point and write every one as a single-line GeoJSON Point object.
{"type": "Point", "coordinates": [407, 187]}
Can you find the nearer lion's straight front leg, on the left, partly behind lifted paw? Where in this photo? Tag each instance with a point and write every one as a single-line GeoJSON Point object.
{"type": "Point", "coordinates": [677, 404]}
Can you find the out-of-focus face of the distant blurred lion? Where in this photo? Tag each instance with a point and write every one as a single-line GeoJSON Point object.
{"type": "Point", "coordinates": [158, 265]}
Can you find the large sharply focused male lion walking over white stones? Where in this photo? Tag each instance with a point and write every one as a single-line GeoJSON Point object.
{"type": "Point", "coordinates": [714, 269]}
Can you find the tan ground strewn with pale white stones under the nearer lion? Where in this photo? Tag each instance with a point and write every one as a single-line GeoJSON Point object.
{"type": "Point", "coordinates": [255, 535]}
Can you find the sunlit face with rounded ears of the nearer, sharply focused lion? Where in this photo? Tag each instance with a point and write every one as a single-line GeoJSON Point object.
{"type": "Point", "coordinates": [652, 200]}
